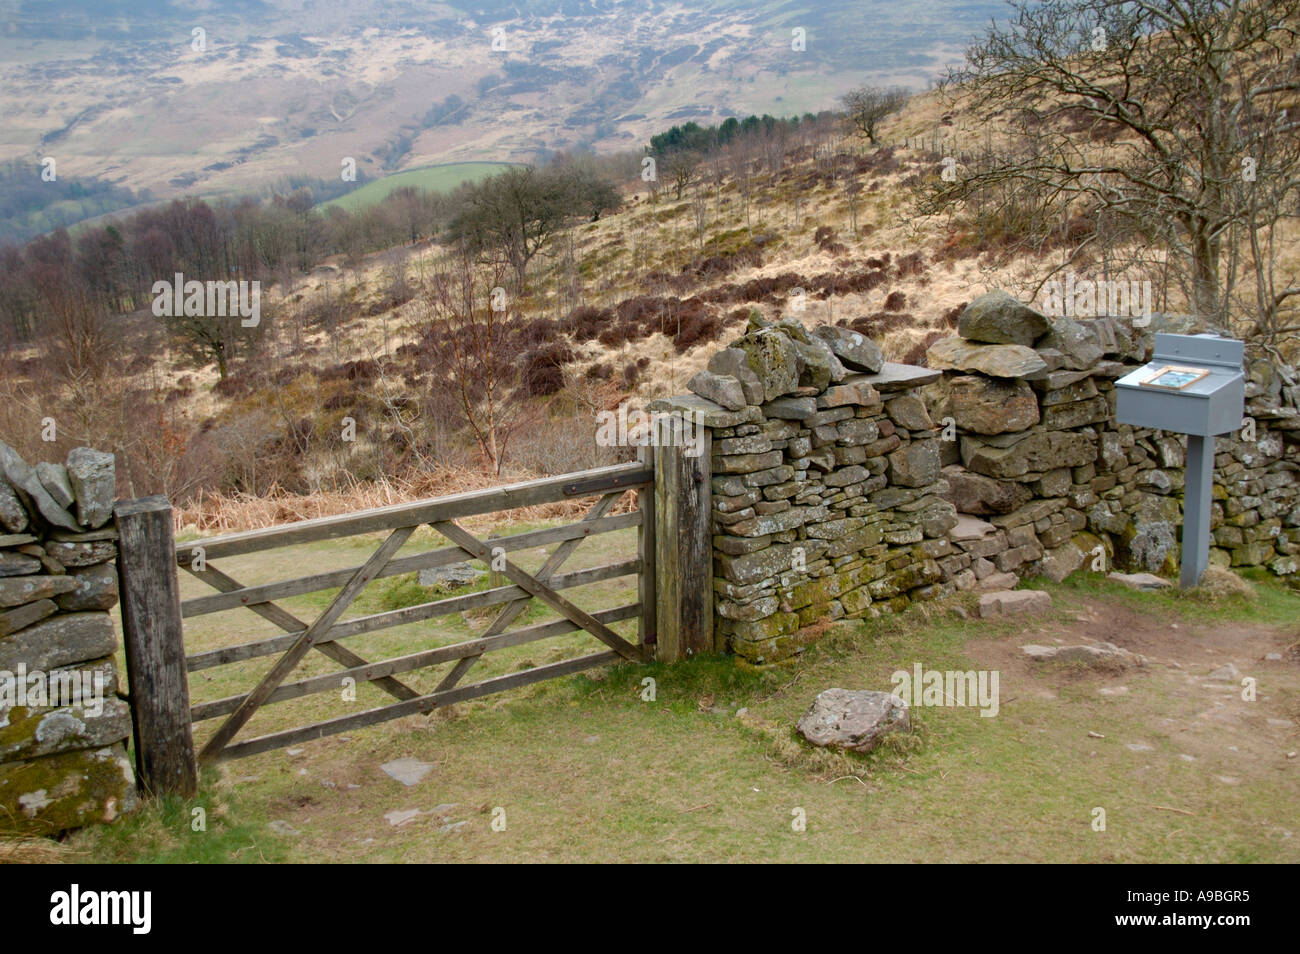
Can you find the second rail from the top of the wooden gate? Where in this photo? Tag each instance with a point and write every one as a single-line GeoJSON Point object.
{"type": "Point", "coordinates": [444, 557]}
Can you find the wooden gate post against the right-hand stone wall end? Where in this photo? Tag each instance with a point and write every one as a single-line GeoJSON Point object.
{"type": "Point", "coordinates": [684, 558]}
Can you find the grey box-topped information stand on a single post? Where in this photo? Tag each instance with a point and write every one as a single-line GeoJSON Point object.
{"type": "Point", "coordinates": [1194, 385]}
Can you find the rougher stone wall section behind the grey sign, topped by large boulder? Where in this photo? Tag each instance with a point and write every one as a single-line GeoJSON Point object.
{"type": "Point", "coordinates": [1041, 456]}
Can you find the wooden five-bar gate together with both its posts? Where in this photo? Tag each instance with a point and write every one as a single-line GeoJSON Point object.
{"type": "Point", "coordinates": [674, 608]}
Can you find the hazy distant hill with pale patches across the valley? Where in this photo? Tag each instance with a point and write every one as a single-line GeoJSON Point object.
{"type": "Point", "coordinates": [124, 90]}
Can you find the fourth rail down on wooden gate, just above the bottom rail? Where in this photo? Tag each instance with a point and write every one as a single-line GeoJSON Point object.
{"type": "Point", "coordinates": [424, 660]}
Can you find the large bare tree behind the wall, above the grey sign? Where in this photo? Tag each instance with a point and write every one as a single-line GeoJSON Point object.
{"type": "Point", "coordinates": [1162, 124]}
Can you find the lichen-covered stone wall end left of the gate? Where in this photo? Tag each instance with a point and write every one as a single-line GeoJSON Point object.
{"type": "Point", "coordinates": [62, 766]}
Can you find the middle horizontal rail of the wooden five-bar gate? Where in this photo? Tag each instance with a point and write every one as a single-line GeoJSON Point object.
{"type": "Point", "coordinates": [411, 614]}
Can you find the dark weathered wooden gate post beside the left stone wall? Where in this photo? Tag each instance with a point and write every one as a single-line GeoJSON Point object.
{"type": "Point", "coordinates": [155, 648]}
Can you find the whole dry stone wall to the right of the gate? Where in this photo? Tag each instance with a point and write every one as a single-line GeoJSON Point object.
{"type": "Point", "coordinates": [846, 487]}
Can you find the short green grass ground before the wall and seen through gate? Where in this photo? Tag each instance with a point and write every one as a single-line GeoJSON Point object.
{"type": "Point", "coordinates": [591, 769]}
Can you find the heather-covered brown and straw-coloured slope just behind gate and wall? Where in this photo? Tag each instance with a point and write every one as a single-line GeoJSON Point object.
{"type": "Point", "coordinates": [622, 310]}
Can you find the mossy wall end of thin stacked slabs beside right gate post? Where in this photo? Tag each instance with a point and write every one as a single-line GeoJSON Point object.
{"type": "Point", "coordinates": [827, 501]}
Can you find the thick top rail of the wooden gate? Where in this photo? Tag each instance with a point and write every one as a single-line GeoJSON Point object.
{"type": "Point", "coordinates": [473, 504]}
